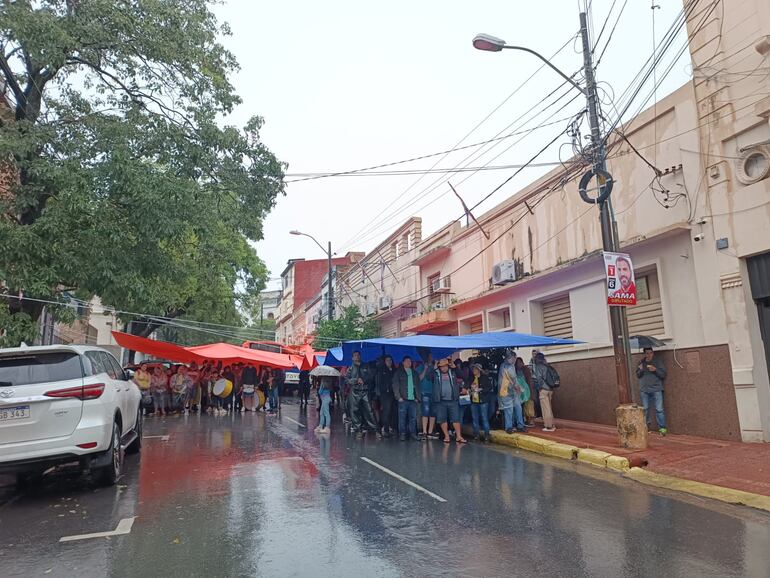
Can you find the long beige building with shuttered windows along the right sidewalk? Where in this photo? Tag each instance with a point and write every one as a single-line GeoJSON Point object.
{"type": "Point", "coordinates": [697, 234]}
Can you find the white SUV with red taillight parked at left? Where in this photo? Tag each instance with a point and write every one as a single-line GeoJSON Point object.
{"type": "Point", "coordinates": [66, 403]}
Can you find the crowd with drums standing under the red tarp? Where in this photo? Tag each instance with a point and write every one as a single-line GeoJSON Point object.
{"type": "Point", "coordinates": [182, 389]}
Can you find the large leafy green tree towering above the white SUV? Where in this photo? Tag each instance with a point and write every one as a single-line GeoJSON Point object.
{"type": "Point", "coordinates": [122, 180]}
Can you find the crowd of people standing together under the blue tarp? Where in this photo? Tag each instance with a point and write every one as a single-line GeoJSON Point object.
{"type": "Point", "coordinates": [387, 399]}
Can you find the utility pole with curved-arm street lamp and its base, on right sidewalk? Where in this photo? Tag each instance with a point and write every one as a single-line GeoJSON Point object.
{"type": "Point", "coordinates": [618, 320]}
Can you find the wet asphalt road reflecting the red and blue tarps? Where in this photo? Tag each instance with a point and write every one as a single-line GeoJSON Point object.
{"type": "Point", "coordinates": [253, 495]}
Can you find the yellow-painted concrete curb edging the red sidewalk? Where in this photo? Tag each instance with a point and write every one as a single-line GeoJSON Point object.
{"type": "Point", "coordinates": [620, 464]}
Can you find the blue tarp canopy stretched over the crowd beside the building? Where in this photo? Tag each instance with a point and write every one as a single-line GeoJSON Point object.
{"type": "Point", "coordinates": [417, 346]}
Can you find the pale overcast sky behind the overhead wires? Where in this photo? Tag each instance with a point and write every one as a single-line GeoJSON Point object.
{"type": "Point", "coordinates": [347, 84]}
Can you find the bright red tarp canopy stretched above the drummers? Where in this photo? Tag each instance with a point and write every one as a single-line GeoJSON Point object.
{"type": "Point", "coordinates": [223, 352]}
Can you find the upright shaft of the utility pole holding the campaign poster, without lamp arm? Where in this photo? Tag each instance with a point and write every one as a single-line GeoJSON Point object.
{"type": "Point", "coordinates": [618, 321]}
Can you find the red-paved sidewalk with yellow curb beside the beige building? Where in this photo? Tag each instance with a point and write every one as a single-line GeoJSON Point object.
{"type": "Point", "coordinates": [737, 473]}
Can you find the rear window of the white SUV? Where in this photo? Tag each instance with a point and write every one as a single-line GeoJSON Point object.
{"type": "Point", "coordinates": [39, 368]}
